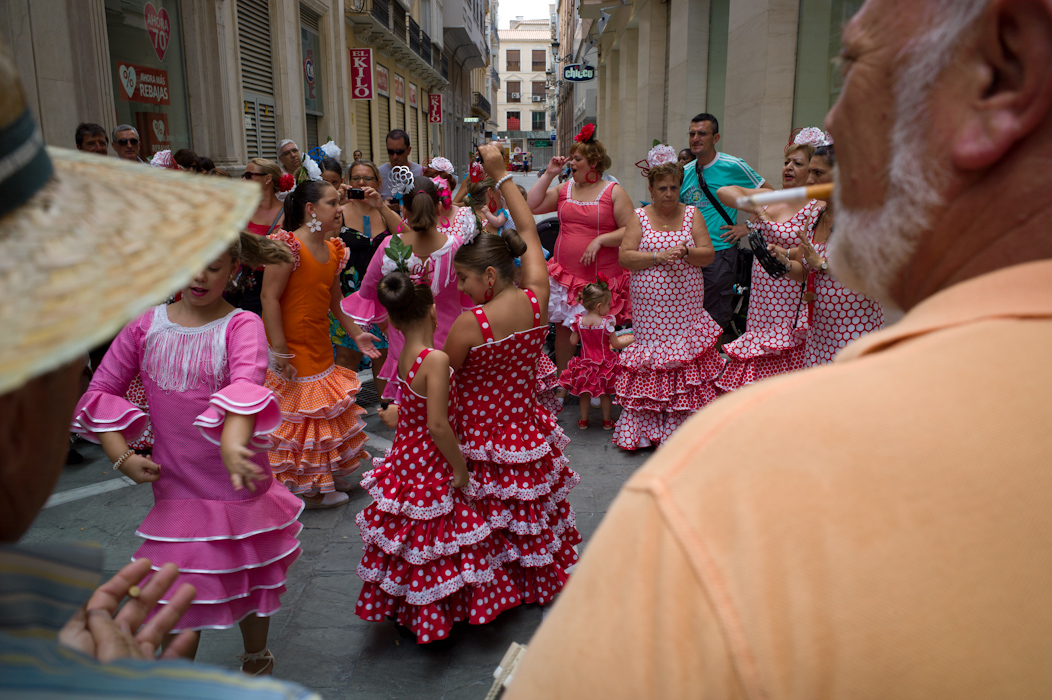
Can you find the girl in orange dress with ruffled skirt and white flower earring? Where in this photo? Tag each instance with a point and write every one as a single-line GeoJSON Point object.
{"type": "Point", "coordinates": [321, 434]}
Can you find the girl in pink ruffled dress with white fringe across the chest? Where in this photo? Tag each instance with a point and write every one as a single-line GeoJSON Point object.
{"type": "Point", "coordinates": [217, 512]}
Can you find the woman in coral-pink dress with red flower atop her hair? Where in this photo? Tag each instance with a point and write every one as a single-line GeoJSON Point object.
{"type": "Point", "coordinates": [593, 215]}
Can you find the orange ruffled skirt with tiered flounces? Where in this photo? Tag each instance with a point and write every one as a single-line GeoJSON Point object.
{"type": "Point", "coordinates": [321, 434]}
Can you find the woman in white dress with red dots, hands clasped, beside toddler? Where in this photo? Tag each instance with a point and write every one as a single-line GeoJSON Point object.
{"type": "Point", "coordinates": [667, 374]}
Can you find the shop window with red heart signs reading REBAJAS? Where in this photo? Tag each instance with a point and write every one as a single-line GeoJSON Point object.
{"type": "Point", "coordinates": [149, 72]}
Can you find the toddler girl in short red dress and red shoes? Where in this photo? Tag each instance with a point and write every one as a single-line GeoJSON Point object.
{"type": "Point", "coordinates": [593, 373]}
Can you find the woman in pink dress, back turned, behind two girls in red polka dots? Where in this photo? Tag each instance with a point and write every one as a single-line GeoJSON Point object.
{"type": "Point", "coordinates": [434, 244]}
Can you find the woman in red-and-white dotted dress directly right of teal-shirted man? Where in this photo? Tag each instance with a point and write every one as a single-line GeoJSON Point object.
{"type": "Point", "coordinates": [777, 326]}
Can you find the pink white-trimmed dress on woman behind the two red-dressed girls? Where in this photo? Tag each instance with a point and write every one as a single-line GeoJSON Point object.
{"type": "Point", "coordinates": [438, 271]}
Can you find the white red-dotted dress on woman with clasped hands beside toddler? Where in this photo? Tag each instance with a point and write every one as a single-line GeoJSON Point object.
{"type": "Point", "coordinates": [669, 373]}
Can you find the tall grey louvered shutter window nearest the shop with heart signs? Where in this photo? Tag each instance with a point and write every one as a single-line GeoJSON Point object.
{"type": "Point", "coordinates": [257, 79]}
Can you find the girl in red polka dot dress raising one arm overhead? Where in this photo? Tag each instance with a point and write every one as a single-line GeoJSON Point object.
{"type": "Point", "coordinates": [514, 447]}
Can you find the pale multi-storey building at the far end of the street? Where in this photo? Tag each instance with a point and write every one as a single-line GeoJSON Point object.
{"type": "Point", "coordinates": [523, 107]}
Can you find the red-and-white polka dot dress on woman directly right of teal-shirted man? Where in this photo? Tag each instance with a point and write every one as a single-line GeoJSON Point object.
{"type": "Point", "coordinates": [774, 339]}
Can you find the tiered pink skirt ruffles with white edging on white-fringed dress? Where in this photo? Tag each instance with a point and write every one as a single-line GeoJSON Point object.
{"type": "Point", "coordinates": [237, 554]}
